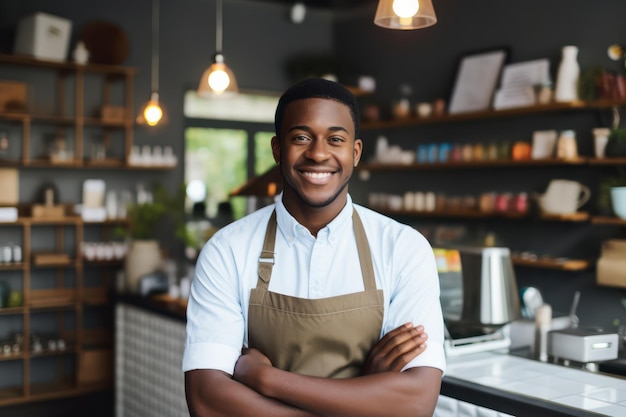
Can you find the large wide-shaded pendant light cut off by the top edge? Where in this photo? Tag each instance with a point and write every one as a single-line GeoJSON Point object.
{"type": "Point", "coordinates": [405, 14]}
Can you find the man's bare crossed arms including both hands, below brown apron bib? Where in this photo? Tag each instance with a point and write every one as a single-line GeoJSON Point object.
{"type": "Point", "coordinates": [257, 388]}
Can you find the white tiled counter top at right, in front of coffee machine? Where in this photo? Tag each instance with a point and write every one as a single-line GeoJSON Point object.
{"type": "Point", "coordinates": [580, 389]}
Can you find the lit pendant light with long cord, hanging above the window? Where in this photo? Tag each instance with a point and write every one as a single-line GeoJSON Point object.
{"type": "Point", "coordinates": [218, 78]}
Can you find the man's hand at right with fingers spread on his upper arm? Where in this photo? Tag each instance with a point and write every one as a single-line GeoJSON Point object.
{"type": "Point", "coordinates": [396, 349]}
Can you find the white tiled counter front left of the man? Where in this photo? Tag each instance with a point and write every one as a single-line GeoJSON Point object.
{"type": "Point", "coordinates": [149, 381]}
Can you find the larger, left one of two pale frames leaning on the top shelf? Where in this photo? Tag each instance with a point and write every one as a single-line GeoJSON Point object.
{"type": "Point", "coordinates": [476, 79]}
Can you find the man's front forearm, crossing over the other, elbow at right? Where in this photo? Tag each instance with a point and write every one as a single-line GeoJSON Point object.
{"type": "Point", "coordinates": [411, 393]}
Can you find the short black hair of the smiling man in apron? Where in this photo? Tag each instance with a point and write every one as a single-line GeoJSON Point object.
{"type": "Point", "coordinates": [317, 88]}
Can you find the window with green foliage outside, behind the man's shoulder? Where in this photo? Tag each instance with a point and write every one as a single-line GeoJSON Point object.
{"type": "Point", "coordinates": [227, 142]}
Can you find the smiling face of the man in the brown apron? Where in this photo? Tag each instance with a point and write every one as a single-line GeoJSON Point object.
{"type": "Point", "coordinates": [317, 151]}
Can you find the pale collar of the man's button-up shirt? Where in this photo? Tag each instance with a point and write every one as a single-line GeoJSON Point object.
{"type": "Point", "coordinates": [289, 227]}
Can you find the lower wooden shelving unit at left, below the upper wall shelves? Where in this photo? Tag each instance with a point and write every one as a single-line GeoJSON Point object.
{"type": "Point", "coordinates": [68, 296]}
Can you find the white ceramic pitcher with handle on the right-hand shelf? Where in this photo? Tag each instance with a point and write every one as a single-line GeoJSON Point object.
{"type": "Point", "coordinates": [564, 197]}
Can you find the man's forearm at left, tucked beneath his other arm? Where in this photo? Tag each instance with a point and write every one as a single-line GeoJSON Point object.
{"type": "Point", "coordinates": [215, 394]}
